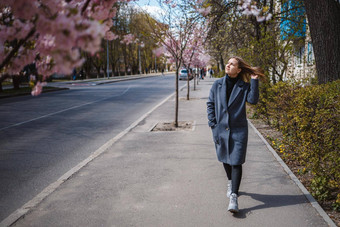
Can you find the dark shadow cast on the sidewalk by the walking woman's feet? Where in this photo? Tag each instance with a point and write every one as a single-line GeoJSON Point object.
{"type": "Point", "coordinates": [269, 201]}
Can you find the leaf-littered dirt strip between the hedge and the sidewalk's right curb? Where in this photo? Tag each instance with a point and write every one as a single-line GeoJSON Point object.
{"type": "Point", "coordinates": [274, 137]}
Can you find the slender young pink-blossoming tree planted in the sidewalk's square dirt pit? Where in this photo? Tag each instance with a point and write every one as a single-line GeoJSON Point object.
{"type": "Point", "coordinates": [179, 36]}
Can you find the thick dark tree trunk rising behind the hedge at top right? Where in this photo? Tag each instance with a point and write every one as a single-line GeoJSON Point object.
{"type": "Point", "coordinates": [324, 22]}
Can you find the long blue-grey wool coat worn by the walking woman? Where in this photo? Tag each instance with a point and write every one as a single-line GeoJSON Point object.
{"type": "Point", "coordinates": [229, 122]}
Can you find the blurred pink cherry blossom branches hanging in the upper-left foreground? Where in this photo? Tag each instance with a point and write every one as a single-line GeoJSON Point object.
{"type": "Point", "coordinates": [51, 34]}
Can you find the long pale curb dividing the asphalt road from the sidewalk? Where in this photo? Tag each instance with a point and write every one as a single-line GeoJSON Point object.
{"type": "Point", "coordinates": [26, 208]}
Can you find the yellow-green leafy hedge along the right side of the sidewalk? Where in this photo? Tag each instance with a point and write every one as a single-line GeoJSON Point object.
{"type": "Point", "coordinates": [309, 119]}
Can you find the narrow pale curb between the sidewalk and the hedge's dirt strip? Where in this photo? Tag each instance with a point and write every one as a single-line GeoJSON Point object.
{"type": "Point", "coordinates": [310, 198]}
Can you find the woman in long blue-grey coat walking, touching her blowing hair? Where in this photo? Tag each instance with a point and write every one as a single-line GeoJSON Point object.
{"type": "Point", "coordinates": [226, 109]}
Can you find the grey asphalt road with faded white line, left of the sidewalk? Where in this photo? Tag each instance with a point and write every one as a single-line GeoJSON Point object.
{"type": "Point", "coordinates": [43, 137]}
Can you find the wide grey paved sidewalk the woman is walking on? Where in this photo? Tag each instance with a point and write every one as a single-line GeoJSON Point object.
{"type": "Point", "coordinates": [174, 179]}
